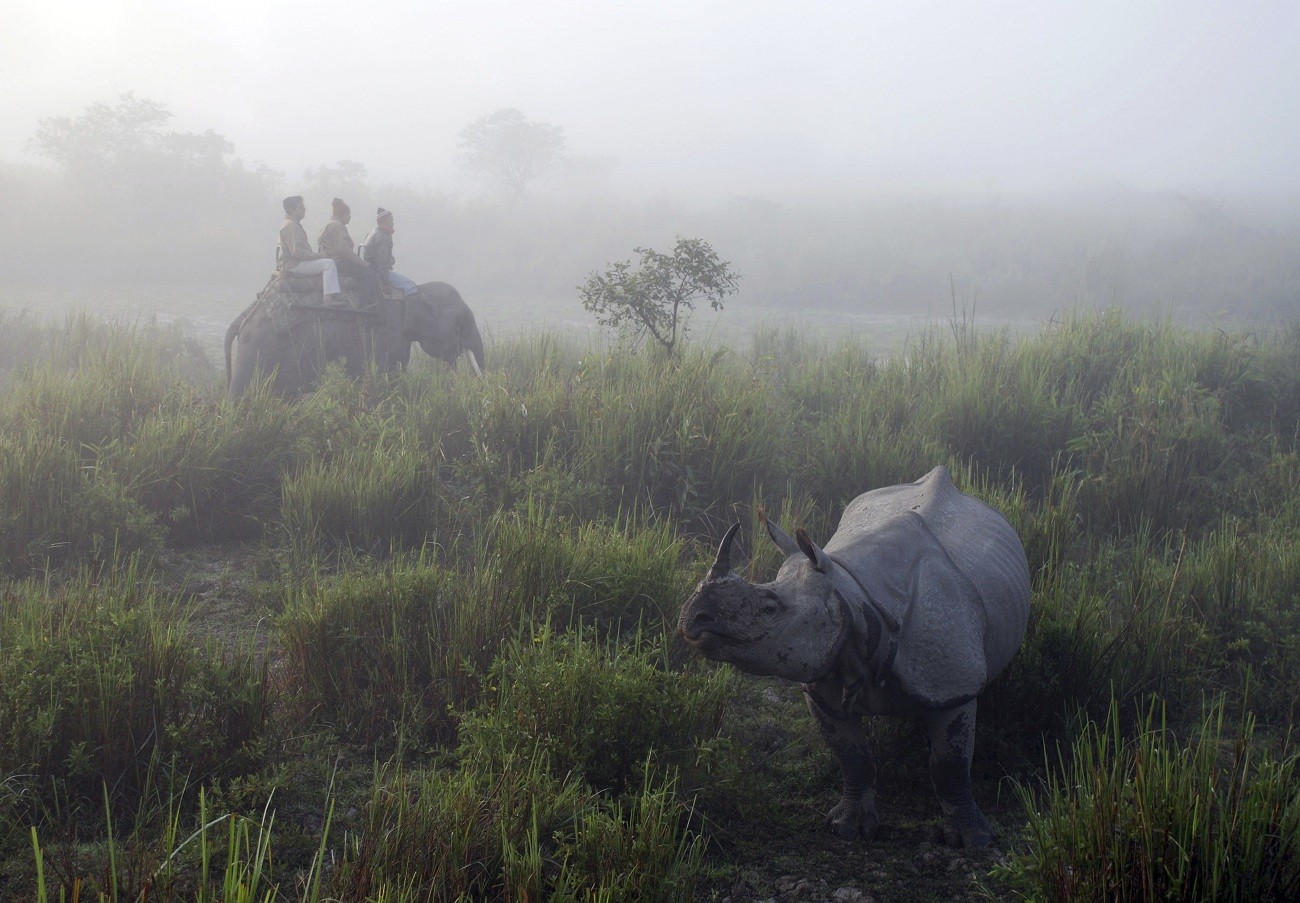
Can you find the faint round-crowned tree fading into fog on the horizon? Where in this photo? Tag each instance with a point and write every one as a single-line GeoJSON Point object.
{"type": "Point", "coordinates": [508, 149]}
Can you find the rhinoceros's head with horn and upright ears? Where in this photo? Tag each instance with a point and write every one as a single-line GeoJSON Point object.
{"type": "Point", "coordinates": [791, 628]}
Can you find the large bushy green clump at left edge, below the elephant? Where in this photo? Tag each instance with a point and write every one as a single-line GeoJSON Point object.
{"type": "Point", "coordinates": [99, 684]}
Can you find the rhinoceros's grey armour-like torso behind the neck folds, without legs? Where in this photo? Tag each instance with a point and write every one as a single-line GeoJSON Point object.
{"type": "Point", "coordinates": [951, 571]}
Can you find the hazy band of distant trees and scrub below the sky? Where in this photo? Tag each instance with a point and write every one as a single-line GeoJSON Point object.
{"type": "Point", "coordinates": [128, 199]}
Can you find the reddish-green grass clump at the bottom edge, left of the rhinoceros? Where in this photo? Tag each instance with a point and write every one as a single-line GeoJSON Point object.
{"type": "Point", "coordinates": [521, 833]}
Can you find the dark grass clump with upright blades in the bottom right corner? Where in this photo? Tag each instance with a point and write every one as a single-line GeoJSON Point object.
{"type": "Point", "coordinates": [1214, 819]}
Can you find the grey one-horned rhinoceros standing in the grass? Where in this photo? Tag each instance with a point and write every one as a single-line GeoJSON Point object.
{"type": "Point", "coordinates": [918, 601]}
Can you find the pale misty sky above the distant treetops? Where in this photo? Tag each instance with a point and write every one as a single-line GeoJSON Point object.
{"type": "Point", "coordinates": [756, 97]}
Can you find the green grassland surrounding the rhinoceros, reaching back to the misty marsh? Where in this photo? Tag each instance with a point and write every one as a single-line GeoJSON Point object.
{"type": "Point", "coordinates": [413, 640]}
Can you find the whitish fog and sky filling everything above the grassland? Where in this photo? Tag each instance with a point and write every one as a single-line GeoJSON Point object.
{"type": "Point", "coordinates": [848, 157]}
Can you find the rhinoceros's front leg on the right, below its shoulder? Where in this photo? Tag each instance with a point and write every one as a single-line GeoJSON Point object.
{"type": "Point", "coordinates": [952, 743]}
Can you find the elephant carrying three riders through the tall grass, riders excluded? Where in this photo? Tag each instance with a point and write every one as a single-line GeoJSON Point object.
{"type": "Point", "coordinates": [436, 318]}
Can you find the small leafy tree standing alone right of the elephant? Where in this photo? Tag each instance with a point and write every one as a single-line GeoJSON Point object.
{"type": "Point", "coordinates": [658, 298]}
